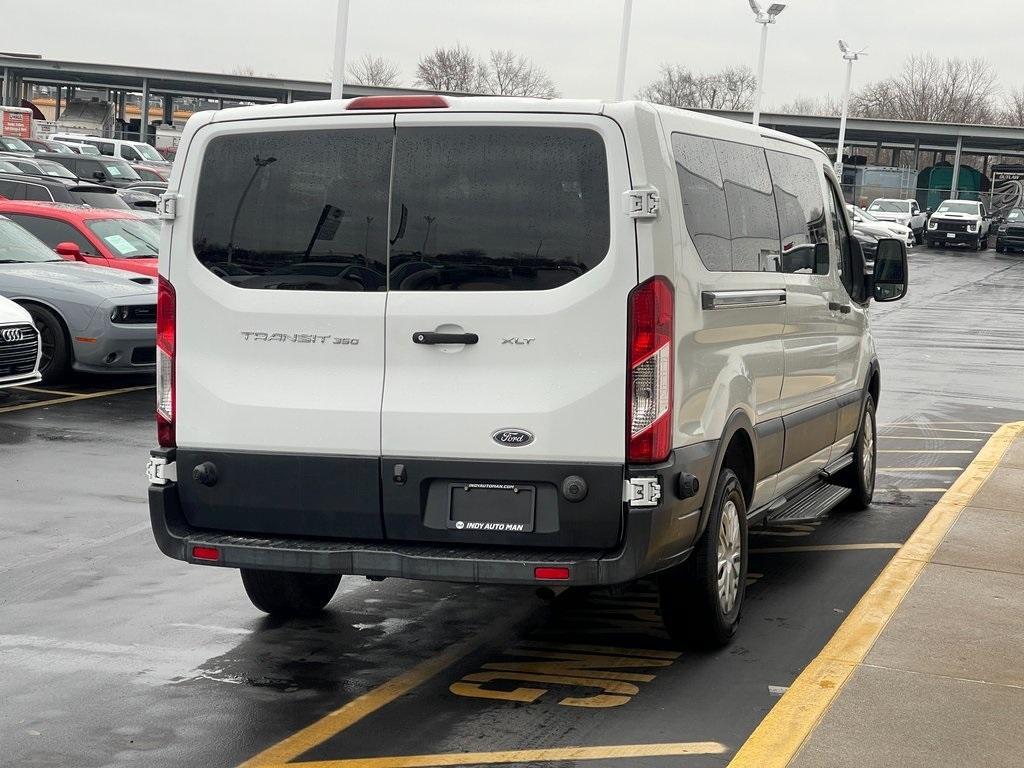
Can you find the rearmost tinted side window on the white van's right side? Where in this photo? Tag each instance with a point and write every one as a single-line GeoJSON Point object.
{"type": "Point", "coordinates": [705, 208]}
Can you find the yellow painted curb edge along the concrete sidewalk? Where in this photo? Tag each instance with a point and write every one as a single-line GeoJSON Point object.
{"type": "Point", "coordinates": [778, 740]}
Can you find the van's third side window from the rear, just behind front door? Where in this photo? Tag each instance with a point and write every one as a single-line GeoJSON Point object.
{"type": "Point", "coordinates": [801, 214]}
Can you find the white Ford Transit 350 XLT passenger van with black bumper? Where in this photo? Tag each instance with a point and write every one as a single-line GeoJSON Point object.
{"type": "Point", "coordinates": [506, 340]}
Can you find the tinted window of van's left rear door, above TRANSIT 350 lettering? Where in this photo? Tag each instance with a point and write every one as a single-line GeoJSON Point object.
{"type": "Point", "coordinates": [303, 210]}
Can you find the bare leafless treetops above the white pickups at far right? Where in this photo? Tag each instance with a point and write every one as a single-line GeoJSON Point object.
{"type": "Point", "coordinates": [954, 91]}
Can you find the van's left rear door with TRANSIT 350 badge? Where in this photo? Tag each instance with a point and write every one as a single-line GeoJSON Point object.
{"type": "Point", "coordinates": [278, 259]}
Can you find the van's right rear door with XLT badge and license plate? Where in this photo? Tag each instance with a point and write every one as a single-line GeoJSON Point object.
{"type": "Point", "coordinates": [510, 268]}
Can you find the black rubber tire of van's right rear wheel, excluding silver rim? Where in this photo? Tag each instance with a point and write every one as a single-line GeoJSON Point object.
{"type": "Point", "coordinates": [693, 612]}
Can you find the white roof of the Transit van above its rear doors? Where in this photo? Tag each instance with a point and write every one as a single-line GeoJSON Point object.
{"type": "Point", "coordinates": [500, 104]}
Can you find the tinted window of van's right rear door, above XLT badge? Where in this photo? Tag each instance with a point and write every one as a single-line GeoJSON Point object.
{"type": "Point", "coordinates": [497, 208]}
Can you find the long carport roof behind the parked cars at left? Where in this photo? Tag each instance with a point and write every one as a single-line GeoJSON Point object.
{"type": "Point", "coordinates": [240, 88]}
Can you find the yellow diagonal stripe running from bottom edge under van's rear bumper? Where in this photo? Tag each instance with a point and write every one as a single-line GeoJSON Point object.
{"type": "Point", "coordinates": [334, 723]}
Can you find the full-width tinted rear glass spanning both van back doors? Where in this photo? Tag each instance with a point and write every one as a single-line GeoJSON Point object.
{"type": "Point", "coordinates": [473, 209]}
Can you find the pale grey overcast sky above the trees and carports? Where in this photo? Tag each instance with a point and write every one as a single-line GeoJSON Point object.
{"type": "Point", "coordinates": [576, 41]}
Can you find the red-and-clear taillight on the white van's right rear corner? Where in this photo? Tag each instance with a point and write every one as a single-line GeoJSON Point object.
{"type": "Point", "coordinates": [650, 376]}
